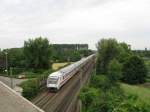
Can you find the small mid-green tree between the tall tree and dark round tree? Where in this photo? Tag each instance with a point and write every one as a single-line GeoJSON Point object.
{"type": "Point", "coordinates": [114, 71]}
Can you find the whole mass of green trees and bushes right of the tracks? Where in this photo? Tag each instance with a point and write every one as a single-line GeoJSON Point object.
{"type": "Point", "coordinates": [104, 93]}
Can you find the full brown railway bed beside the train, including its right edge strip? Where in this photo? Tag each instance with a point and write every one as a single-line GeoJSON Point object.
{"type": "Point", "coordinates": [66, 99]}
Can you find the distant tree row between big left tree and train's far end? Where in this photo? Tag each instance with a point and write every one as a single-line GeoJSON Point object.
{"type": "Point", "coordinates": [68, 52]}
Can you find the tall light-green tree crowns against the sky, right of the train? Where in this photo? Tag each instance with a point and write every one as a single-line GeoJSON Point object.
{"type": "Point", "coordinates": [109, 49]}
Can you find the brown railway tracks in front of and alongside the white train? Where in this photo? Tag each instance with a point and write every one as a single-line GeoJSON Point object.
{"type": "Point", "coordinates": [60, 101]}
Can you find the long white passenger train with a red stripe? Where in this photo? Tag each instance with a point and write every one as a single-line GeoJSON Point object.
{"type": "Point", "coordinates": [57, 79]}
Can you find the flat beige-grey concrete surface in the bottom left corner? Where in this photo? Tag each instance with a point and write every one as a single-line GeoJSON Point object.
{"type": "Point", "coordinates": [10, 101]}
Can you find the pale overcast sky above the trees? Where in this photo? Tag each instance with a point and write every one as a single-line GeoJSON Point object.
{"type": "Point", "coordinates": [75, 21]}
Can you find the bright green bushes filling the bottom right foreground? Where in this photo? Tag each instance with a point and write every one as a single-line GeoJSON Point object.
{"type": "Point", "coordinates": [112, 99]}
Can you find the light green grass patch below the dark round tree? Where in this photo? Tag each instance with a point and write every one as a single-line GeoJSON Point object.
{"type": "Point", "coordinates": [142, 92]}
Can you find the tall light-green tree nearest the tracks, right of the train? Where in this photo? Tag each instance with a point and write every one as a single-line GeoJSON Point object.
{"type": "Point", "coordinates": [107, 50]}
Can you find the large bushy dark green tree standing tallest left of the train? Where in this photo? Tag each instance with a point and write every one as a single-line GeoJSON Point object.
{"type": "Point", "coordinates": [37, 53]}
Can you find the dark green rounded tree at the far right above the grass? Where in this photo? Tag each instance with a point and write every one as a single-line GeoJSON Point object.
{"type": "Point", "coordinates": [134, 70]}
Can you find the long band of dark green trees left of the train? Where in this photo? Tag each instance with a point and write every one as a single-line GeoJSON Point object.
{"type": "Point", "coordinates": [37, 55]}
